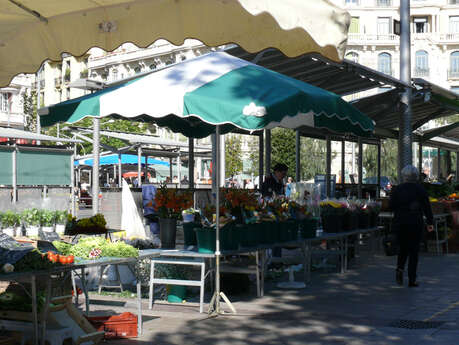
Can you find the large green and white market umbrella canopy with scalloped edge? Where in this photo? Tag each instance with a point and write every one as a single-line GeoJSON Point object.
{"type": "Point", "coordinates": [216, 89]}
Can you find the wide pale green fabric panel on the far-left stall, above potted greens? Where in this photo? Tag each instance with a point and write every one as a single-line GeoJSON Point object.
{"type": "Point", "coordinates": [39, 168]}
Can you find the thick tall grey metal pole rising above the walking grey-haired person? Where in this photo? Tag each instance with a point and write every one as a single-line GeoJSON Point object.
{"type": "Point", "coordinates": [405, 133]}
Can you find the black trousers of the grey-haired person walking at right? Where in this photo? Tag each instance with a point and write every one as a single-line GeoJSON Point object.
{"type": "Point", "coordinates": [409, 237]}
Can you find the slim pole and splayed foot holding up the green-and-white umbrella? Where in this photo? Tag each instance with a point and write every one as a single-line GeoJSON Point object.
{"type": "Point", "coordinates": [217, 294]}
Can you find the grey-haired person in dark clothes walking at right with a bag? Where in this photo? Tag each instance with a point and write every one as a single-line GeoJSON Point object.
{"type": "Point", "coordinates": [410, 203]}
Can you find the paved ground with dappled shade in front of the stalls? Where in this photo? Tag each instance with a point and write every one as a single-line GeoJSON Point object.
{"type": "Point", "coordinates": [362, 306]}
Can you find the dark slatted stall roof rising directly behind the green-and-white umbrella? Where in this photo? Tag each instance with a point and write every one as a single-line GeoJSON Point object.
{"type": "Point", "coordinates": [342, 78]}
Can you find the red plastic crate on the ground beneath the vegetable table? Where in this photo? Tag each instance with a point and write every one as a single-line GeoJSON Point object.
{"type": "Point", "coordinates": [116, 326]}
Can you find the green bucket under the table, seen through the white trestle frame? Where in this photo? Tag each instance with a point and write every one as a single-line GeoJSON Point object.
{"type": "Point", "coordinates": [175, 293]}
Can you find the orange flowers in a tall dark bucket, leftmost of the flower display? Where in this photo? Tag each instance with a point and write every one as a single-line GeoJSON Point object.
{"type": "Point", "coordinates": [169, 203]}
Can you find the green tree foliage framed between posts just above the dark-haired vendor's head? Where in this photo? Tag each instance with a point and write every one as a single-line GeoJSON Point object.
{"type": "Point", "coordinates": [283, 148]}
